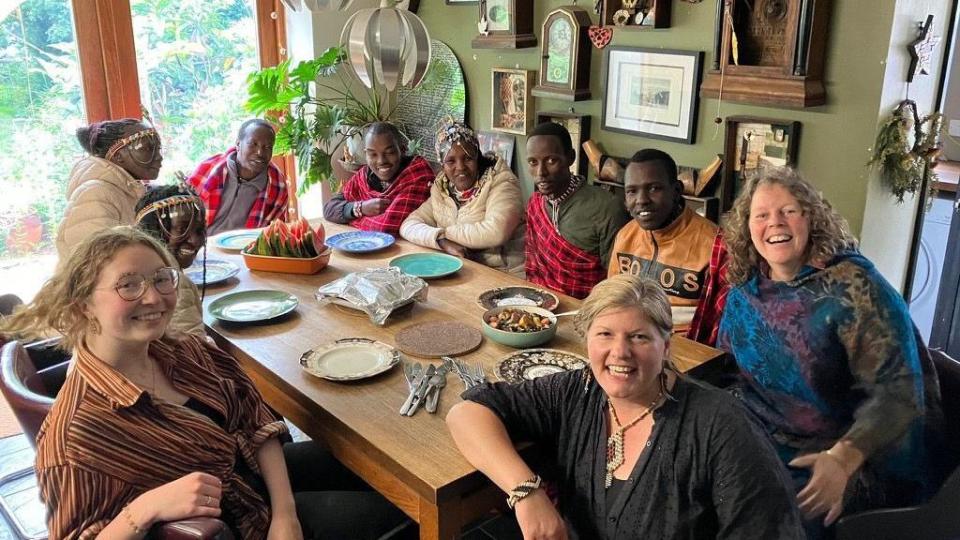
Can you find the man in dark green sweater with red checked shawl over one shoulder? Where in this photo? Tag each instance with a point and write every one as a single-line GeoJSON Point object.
{"type": "Point", "coordinates": [570, 225]}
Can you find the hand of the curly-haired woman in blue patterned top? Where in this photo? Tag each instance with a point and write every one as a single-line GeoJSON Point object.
{"type": "Point", "coordinates": [824, 492]}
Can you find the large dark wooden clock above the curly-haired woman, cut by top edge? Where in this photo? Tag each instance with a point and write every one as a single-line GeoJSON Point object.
{"type": "Point", "coordinates": [776, 57]}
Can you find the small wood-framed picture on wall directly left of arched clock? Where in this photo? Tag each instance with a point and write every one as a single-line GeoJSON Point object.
{"type": "Point", "coordinates": [511, 110]}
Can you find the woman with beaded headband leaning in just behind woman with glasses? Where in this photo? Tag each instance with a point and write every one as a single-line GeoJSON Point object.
{"type": "Point", "coordinates": [175, 216]}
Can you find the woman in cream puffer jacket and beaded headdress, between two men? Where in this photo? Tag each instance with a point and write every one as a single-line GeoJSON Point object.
{"type": "Point", "coordinates": [475, 208]}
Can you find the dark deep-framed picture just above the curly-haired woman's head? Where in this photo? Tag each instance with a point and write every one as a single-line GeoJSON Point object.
{"type": "Point", "coordinates": [752, 144]}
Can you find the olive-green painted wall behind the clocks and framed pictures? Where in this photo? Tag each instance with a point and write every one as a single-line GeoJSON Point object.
{"type": "Point", "coordinates": [835, 138]}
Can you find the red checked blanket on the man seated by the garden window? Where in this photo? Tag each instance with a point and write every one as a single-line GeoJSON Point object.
{"type": "Point", "coordinates": [211, 175]}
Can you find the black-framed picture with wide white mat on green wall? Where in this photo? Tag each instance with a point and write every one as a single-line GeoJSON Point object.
{"type": "Point", "coordinates": [651, 92]}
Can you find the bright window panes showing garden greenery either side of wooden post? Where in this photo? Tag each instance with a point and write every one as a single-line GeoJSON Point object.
{"type": "Point", "coordinates": [193, 58]}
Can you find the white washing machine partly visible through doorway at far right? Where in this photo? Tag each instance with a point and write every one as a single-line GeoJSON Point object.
{"type": "Point", "coordinates": [933, 248]}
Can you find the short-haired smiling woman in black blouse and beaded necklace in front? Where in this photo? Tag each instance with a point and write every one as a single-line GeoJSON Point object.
{"type": "Point", "coordinates": [637, 450]}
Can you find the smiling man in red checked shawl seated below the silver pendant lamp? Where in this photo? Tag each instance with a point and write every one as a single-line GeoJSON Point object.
{"type": "Point", "coordinates": [381, 195]}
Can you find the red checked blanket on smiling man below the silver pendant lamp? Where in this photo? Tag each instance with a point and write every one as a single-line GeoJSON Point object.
{"type": "Point", "coordinates": [407, 192]}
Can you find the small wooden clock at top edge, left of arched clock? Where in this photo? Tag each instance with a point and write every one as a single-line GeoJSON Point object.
{"type": "Point", "coordinates": [505, 24]}
